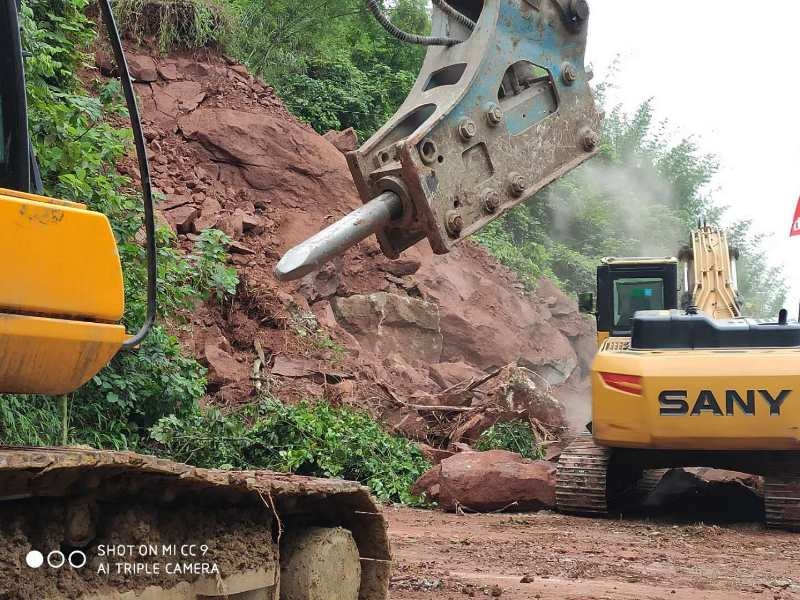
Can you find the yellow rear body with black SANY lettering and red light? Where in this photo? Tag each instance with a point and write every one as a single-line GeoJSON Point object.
{"type": "Point", "coordinates": [697, 399]}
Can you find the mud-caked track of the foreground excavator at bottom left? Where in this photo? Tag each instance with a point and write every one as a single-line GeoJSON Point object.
{"type": "Point", "coordinates": [261, 535]}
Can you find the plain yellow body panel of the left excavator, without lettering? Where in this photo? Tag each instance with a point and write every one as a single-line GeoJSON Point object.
{"type": "Point", "coordinates": [62, 294]}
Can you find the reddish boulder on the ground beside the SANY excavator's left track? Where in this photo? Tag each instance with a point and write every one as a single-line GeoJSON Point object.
{"type": "Point", "coordinates": [493, 480]}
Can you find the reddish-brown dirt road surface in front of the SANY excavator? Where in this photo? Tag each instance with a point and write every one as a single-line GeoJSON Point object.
{"type": "Point", "coordinates": [548, 556]}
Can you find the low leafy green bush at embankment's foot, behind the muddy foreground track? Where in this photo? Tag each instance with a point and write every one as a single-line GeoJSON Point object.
{"type": "Point", "coordinates": [310, 439]}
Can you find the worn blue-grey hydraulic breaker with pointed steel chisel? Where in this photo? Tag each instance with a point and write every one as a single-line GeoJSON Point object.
{"type": "Point", "coordinates": [489, 122]}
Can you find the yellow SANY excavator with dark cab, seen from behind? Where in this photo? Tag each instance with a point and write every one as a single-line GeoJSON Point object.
{"type": "Point", "coordinates": [682, 379]}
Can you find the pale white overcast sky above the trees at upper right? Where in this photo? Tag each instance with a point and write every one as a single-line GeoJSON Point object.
{"type": "Point", "coordinates": [729, 74]}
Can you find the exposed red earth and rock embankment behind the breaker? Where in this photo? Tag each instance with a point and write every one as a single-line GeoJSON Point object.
{"type": "Point", "coordinates": [365, 330]}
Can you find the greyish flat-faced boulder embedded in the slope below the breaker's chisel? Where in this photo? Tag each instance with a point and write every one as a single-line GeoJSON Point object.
{"type": "Point", "coordinates": [387, 324]}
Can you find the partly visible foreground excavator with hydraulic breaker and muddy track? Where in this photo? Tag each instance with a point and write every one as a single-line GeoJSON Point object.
{"type": "Point", "coordinates": [502, 107]}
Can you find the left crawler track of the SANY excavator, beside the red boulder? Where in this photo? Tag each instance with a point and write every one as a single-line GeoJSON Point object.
{"type": "Point", "coordinates": [581, 478]}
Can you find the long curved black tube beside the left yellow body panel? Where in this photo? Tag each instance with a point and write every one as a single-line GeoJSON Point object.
{"type": "Point", "coordinates": [144, 171]}
